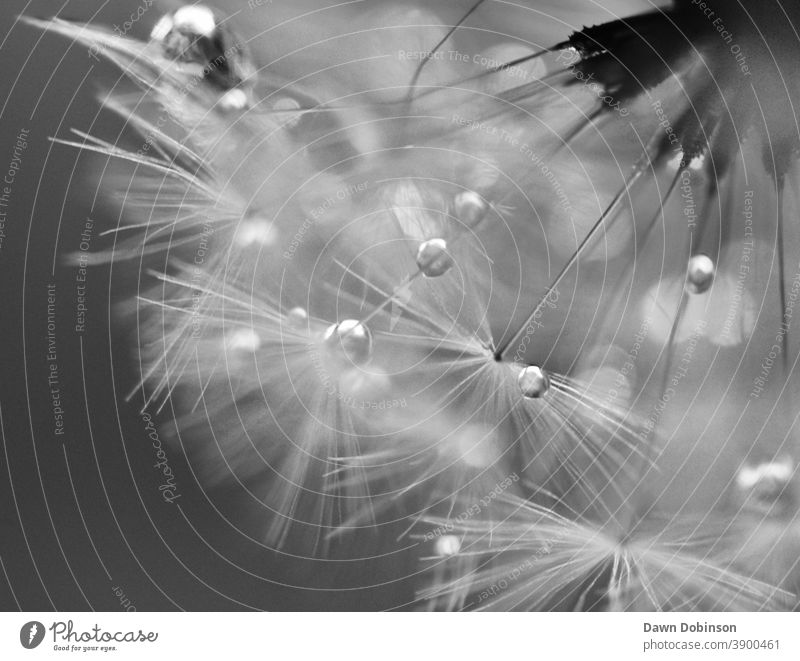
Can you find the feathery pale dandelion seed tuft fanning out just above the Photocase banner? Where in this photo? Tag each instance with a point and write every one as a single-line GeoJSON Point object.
{"type": "Point", "coordinates": [539, 560]}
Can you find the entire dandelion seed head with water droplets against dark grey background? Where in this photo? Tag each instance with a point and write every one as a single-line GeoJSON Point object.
{"type": "Point", "coordinates": [505, 291]}
